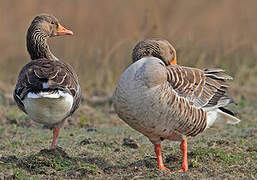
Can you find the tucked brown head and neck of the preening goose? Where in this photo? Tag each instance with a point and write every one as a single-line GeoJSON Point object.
{"type": "Point", "coordinates": [158, 48]}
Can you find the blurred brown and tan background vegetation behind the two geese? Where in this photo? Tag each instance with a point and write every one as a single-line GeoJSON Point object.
{"type": "Point", "coordinates": [205, 34]}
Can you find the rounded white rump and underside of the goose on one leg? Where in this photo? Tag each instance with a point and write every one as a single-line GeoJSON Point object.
{"type": "Point", "coordinates": [48, 108]}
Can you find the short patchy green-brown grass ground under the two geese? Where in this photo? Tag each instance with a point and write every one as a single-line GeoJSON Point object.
{"type": "Point", "coordinates": [107, 148]}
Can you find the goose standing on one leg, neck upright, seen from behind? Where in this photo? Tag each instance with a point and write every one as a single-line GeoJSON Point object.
{"type": "Point", "coordinates": [47, 89]}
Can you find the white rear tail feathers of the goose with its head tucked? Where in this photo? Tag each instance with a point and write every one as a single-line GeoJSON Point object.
{"type": "Point", "coordinates": [219, 118]}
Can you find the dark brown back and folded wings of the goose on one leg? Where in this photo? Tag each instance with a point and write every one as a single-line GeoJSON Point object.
{"type": "Point", "coordinates": [45, 75]}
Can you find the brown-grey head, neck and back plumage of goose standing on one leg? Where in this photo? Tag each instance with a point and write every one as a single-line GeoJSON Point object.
{"type": "Point", "coordinates": [45, 67]}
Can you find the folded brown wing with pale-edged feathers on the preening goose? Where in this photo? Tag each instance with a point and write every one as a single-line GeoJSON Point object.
{"type": "Point", "coordinates": [202, 88]}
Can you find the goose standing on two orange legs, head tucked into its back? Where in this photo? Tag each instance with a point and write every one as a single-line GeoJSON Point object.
{"type": "Point", "coordinates": [163, 100]}
